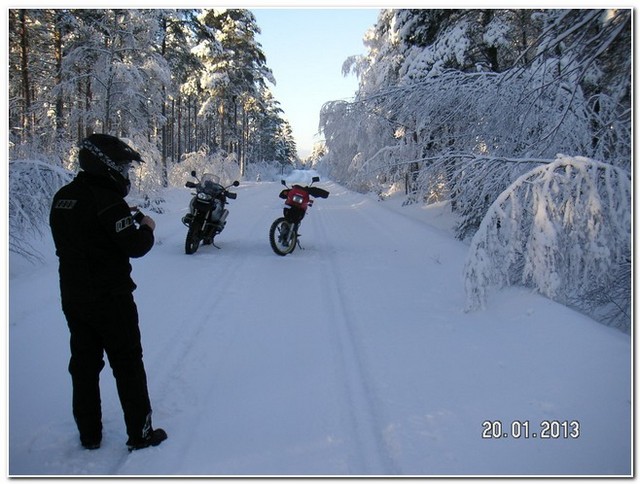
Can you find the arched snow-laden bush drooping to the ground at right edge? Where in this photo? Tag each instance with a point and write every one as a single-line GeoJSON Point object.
{"type": "Point", "coordinates": [564, 229]}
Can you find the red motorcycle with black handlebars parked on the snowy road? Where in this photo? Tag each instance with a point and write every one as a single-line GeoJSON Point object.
{"type": "Point", "coordinates": [283, 234]}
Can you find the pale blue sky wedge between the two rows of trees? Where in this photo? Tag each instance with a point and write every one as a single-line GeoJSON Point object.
{"type": "Point", "coordinates": [305, 49]}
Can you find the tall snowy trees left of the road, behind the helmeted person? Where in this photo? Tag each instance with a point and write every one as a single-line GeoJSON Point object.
{"type": "Point", "coordinates": [145, 75]}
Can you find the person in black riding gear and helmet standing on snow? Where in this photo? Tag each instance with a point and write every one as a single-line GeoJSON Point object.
{"type": "Point", "coordinates": [95, 235]}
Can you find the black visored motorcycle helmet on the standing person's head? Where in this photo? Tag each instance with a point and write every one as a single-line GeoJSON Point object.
{"type": "Point", "coordinates": [108, 156]}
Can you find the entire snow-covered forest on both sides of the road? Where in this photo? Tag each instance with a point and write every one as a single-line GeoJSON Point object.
{"type": "Point", "coordinates": [519, 119]}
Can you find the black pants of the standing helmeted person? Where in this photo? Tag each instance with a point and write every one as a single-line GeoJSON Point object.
{"type": "Point", "coordinates": [109, 325]}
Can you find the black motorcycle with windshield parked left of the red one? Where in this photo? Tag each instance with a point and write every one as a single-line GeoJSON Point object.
{"type": "Point", "coordinates": [207, 215]}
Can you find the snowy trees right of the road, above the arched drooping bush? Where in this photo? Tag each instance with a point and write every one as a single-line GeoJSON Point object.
{"type": "Point", "coordinates": [449, 97]}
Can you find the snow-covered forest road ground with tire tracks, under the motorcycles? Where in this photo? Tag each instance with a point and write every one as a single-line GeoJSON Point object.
{"type": "Point", "coordinates": [350, 357]}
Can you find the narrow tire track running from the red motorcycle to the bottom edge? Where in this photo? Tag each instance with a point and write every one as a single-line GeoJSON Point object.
{"type": "Point", "coordinates": [375, 458]}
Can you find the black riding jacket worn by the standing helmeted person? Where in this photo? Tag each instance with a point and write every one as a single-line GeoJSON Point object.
{"type": "Point", "coordinates": [95, 235]}
